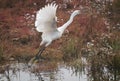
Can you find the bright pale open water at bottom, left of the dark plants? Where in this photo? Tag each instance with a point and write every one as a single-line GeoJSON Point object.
{"type": "Point", "coordinates": [20, 72]}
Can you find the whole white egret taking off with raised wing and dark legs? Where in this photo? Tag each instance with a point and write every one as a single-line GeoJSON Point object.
{"type": "Point", "coordinates": [46, 22]}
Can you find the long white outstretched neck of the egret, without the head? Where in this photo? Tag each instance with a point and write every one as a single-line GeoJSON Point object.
{"type": "Point", "coordinates": [63, 27]}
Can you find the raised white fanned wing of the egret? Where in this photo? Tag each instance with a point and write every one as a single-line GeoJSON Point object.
{"type": "Point", "coordinates": [46, 18]}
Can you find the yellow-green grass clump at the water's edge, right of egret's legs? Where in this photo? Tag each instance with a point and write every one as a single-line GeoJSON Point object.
{"type": "Point", "coordinates": [71, 49]}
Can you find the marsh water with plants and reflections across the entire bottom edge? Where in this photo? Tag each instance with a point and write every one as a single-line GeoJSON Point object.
{"type": "Point", "coordinates": [78, 70]}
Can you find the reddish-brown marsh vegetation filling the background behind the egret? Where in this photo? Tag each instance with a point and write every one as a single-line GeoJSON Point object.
{"type": "Point", "coordinates": [19, 39]}
